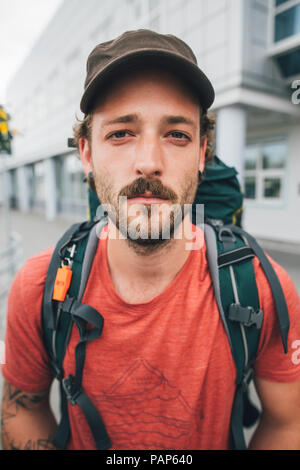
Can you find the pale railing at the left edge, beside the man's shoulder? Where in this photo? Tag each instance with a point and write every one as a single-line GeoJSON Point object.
{"type": "Point", "coordinates": [10, 261]}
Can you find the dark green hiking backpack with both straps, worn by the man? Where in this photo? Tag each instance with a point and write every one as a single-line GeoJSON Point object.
{"type": "Point", "coordinates": [230, 251]}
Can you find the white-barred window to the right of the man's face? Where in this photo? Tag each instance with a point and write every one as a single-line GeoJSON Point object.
{"type": "Point", "coordinates": [265, 171]}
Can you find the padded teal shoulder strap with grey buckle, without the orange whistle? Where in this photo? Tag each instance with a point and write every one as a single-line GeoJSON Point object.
{"type": "Point", "coordinates": [232, 272]}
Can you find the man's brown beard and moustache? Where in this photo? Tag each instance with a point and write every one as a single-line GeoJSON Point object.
{"type": "Point", "coordinates": [146, 228]}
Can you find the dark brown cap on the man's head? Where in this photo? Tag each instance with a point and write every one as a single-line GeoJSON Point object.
{"type": "Point", "coordinates": [135, 48]}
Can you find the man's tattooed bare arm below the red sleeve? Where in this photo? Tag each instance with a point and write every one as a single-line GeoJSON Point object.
{"type": "Point", "coordinates": [27, 422]}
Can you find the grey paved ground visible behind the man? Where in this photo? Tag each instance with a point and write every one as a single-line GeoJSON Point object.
{"type": "Point", "coordinates": [37, 234]}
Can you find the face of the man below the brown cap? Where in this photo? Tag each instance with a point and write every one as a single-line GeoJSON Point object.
{"type": "Point", "coordinates": [145, 146]}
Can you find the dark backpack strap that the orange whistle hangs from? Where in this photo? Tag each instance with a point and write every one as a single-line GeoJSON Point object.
{"type": "Point", "coordinates": [82, 238]}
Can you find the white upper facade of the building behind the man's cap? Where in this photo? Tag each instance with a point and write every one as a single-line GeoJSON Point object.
{"type": "Point", "coordinates": [46, 90]}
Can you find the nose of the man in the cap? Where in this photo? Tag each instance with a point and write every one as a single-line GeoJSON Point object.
{"type": "Point", "coordinates": [148, 158]}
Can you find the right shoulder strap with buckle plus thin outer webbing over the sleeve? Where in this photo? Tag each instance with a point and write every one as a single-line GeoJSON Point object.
{"type": "Point", "coordinates": [239, 306]}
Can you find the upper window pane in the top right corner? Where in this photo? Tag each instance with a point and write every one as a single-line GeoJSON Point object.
{"type": "Point", "coordinates": [287, 20]}
